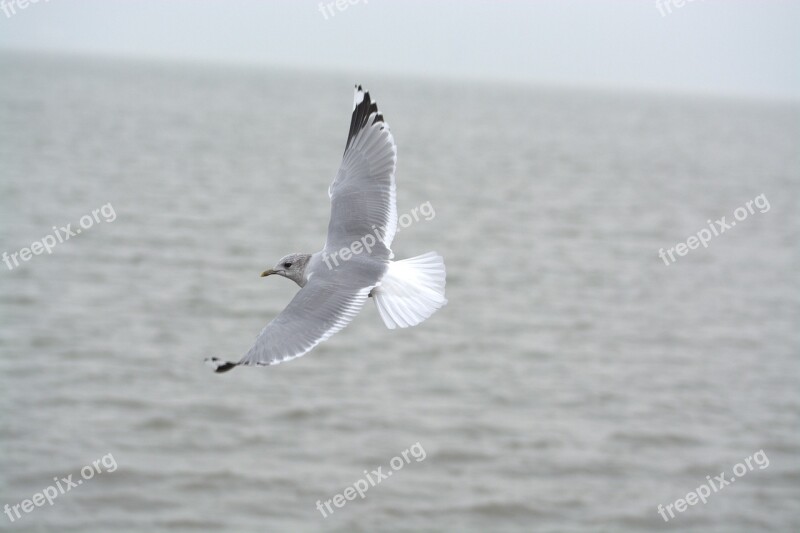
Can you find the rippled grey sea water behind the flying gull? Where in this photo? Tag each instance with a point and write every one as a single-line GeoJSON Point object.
{"type": "Point", "coordinates": [574, 382]}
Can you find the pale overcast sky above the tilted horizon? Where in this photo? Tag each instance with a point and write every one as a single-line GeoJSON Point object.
{"type": "Point", "coordinates": [742, 47]}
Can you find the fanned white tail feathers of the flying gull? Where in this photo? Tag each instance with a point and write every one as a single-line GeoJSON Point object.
{"type": "Point", "coordinates": [411, 290]}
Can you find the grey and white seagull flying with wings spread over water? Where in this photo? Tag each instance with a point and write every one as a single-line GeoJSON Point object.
{"type": "Point", "coordinates": [356, 261]}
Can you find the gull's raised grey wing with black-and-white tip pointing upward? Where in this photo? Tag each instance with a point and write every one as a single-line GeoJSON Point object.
{"type": "Point", "coordinates": [362, 194]}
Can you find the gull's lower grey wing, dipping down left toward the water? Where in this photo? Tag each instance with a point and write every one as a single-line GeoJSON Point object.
{"type": "Point", "coordinates": [326, 304]}
